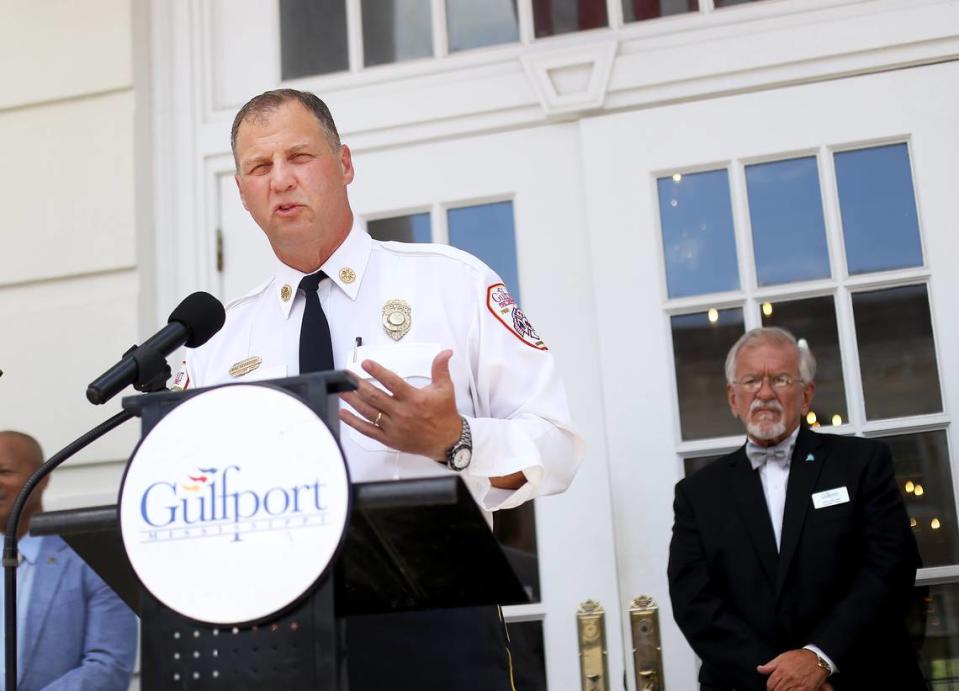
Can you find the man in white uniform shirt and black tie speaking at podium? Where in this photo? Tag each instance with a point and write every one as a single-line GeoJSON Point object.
{"type": "Point", "coordinates": [453, 376]}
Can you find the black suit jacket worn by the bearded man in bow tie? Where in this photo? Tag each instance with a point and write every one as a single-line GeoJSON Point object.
{"type": "Point", "coordinates": [842, 579]}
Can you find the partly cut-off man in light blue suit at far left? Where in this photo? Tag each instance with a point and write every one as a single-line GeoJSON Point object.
{"type": "Point", "coordinates": [73, 632]}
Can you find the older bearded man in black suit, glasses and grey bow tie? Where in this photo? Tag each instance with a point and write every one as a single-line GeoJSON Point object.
{"type": "Point", "coordinates": [792, 558]}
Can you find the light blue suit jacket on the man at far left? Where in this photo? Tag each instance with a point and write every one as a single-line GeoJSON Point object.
{"type": "Point", "coordinates": [78, 634]}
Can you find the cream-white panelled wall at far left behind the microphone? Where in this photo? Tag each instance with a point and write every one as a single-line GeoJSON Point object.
{"type": "Point", "coordinates": [69, 279]}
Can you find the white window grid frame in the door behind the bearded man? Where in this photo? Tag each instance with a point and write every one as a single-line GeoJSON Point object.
{"type": "Point", "coordinates": [840, 286]}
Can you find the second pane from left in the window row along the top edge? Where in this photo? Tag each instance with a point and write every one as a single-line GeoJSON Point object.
{"type": "Point", "coordinates": [395, 30]}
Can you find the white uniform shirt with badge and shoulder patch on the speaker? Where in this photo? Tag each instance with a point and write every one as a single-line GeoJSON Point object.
{"type": "Point", "coordinates": [506, 381]}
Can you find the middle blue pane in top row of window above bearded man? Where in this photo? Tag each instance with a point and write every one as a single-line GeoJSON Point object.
{"type": "Point", "coordinates": [785, 211]}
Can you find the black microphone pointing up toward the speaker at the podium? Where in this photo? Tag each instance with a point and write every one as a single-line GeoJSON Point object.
{"type": "Point", "coordinates": [193, 323]}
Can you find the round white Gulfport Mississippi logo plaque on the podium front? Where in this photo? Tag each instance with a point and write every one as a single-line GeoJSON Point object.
{"type": "Point", "coordinates": [234, 504]}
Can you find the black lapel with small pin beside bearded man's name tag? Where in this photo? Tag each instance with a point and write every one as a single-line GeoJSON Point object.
{"type": "Point", "coordinates": [804, 468]}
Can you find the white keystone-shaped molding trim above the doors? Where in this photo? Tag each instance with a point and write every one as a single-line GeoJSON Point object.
{"type": "Point", "coordinates": [571, 80]}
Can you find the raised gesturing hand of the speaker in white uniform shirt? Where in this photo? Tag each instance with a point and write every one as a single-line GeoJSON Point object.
{"type": "Point", "coordinates": [421, 421]}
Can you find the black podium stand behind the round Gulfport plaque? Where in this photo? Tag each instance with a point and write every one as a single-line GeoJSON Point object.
{"type": "Point", "coordinates": [410, 545]}
